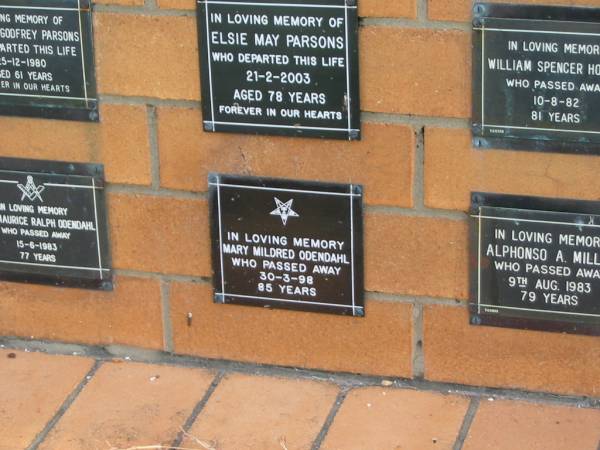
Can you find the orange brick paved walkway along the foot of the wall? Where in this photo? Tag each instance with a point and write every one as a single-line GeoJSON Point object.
{"type": "Point", "coordinates": [58, 402]}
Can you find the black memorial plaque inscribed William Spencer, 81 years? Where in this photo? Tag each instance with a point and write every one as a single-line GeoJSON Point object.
{"type": "Point", "coordinates": [536, 78]}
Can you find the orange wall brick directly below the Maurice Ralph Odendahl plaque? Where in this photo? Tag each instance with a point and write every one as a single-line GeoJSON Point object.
{"type": "Point", "coordinates": [129, 315]}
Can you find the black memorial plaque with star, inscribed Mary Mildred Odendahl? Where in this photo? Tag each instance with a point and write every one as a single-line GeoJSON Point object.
{"type": "Point", "coordinates": [287, 244]}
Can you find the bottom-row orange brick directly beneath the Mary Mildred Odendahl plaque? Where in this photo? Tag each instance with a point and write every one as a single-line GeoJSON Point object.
{"type": "Point", "coordinates": [379, 344]}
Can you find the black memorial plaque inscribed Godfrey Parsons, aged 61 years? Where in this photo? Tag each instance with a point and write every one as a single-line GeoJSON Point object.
{"type": "Point", "coordinates": [46, 59]}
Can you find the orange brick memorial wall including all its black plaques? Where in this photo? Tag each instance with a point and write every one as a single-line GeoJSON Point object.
{"type": "Point", "coordinates": [405, 188]}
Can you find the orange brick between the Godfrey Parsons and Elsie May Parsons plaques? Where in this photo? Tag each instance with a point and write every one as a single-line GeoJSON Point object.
{"type": "Point", "coordinates": [150, 56]}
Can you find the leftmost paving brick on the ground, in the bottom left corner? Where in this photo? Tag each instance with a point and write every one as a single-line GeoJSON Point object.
{"type": "Point", "coordinates": [32, 388]}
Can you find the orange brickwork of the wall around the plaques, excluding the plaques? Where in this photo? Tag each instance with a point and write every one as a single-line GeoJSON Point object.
{"type": "Point", "coordinates": [417, 167]}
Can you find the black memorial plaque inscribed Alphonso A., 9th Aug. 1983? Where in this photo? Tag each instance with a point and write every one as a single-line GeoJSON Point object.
{"type": "Point", "coordinates": [535, 263]}
